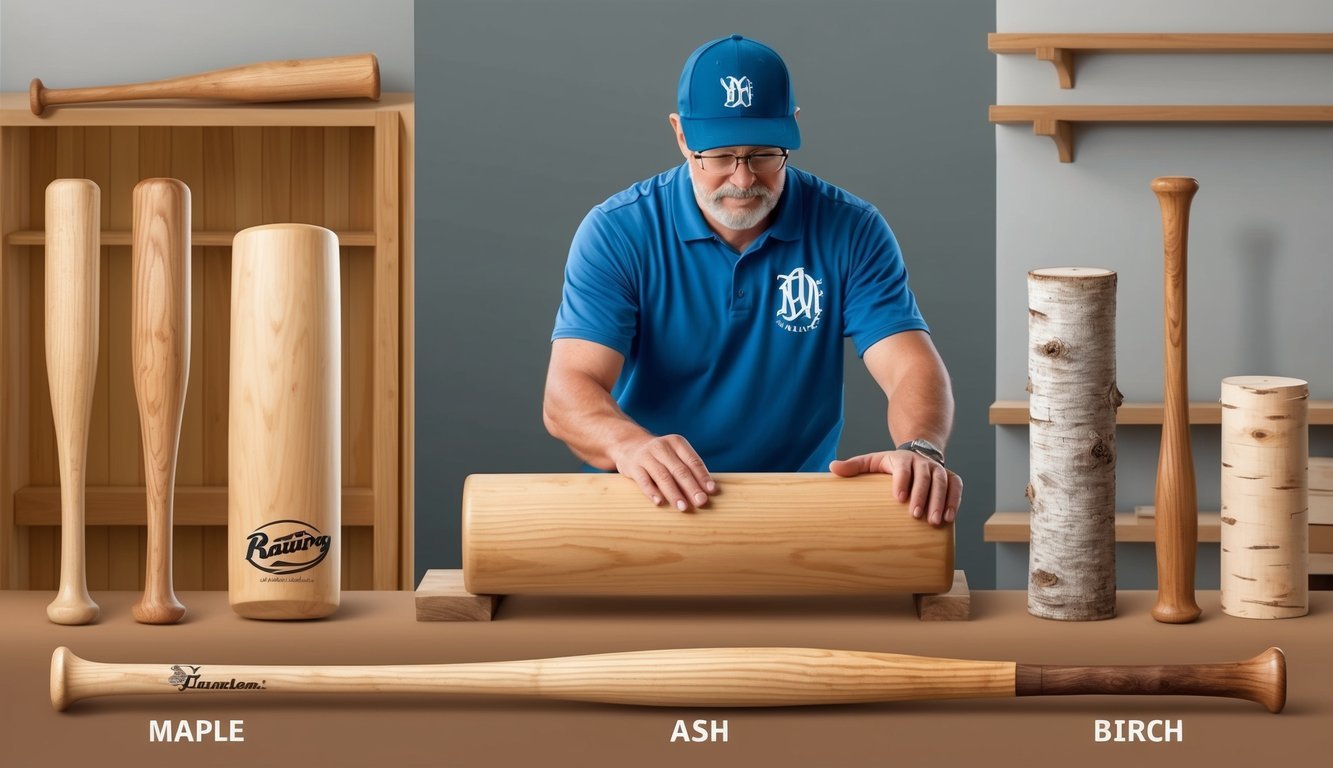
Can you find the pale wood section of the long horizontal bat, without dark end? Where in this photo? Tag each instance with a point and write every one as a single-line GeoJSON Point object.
{"type": "Point", "coordinates": [671, 678]}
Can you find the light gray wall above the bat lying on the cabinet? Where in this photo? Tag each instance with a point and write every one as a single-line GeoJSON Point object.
{"type": "Point", "coordinates": [74, 43]}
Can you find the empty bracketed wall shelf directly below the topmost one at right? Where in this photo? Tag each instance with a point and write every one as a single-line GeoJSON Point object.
{"type": "Point", "coordinates": [1058, 122]}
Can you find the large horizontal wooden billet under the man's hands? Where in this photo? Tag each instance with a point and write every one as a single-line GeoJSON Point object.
{"type": "Point", "coordinates": [782, 534]}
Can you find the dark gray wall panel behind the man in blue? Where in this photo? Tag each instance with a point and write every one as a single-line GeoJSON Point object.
{"type": "Point", "coordinates": [530, 113]}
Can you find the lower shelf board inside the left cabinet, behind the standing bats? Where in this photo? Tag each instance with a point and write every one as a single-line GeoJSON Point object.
{"type": "Point", "coordinates": [127, 506]}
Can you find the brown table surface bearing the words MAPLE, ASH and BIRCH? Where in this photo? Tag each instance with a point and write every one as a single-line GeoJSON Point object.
{"type": "Point", "coordinates": [405, 730]}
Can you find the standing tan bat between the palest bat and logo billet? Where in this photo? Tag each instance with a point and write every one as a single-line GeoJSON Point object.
{"type": "Point", "coordinates": [161, 354]}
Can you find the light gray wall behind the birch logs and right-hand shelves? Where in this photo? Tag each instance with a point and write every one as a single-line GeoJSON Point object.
{"type": "Point", "coordinates": [1262, 238]}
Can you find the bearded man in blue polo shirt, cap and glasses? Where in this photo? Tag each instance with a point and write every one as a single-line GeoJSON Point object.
{"type": "Point", "coordinates": [704, 310]}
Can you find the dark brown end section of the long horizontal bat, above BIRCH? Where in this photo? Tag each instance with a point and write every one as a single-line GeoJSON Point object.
{"type": "Point", "coordinates": [1262, 679]}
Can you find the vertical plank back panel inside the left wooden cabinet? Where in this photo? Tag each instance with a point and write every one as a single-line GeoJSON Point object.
{"type": "Point", "coordinates": [239, 177]}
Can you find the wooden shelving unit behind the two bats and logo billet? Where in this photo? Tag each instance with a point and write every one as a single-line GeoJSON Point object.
{"type": "Point", "coordinates": [346, 166]}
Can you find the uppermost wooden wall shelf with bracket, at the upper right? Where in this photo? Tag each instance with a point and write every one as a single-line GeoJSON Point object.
{"type": "Point", "coordinates": [1060, 49]}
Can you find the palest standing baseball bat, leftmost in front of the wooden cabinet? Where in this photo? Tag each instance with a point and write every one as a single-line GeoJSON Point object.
{"type": "Point", "coordinates": [73, 273]}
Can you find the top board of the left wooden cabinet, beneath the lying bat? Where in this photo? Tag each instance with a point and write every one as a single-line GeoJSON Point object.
{"type": "Point", "coordinates": [14, 111]}
